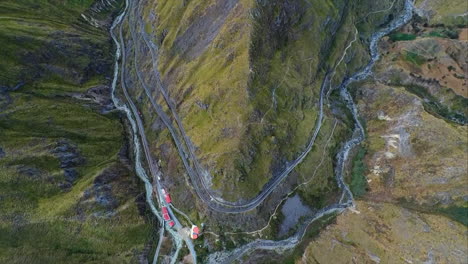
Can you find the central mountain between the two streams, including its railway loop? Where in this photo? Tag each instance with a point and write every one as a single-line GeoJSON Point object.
{"type": "Point", "coordinates": [238, 114]}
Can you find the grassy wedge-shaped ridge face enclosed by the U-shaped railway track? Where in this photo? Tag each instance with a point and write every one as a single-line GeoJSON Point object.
{"type": "Point", "coordinates": [262, 77]}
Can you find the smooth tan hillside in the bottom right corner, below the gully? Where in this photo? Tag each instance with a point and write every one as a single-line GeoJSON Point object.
{"type": "Point", "coordinates": [385, 233]}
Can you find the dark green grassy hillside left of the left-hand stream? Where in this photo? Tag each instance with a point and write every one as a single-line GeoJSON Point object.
{"type": "Point", "coordinates": [67, 192]}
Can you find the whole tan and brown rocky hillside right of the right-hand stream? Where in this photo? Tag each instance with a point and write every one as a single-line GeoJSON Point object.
{"type": "Point", "coordinates": [411, 171]}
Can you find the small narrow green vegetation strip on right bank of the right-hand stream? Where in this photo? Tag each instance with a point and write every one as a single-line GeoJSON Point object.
{"type": "Point", "coordinates": [358, 184]}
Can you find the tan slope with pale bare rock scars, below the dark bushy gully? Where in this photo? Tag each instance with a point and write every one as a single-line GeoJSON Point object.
{"type": "Point", "coordinates": [413, 154]}
